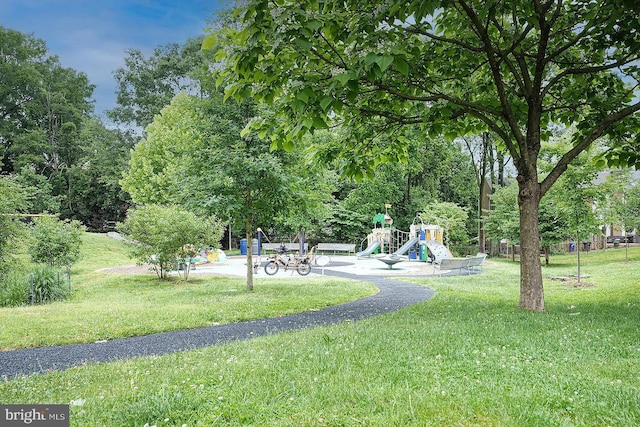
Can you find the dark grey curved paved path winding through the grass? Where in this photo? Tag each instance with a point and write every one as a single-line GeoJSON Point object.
{"type": "Point", "coordinates": [392, 296]}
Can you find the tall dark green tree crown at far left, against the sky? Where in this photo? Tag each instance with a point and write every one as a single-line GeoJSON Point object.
{"type": "Point", "coordinates": [42, 106]}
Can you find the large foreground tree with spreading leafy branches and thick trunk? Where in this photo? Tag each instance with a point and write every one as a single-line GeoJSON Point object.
{"type": "Point", "coordinates": [455, 67]}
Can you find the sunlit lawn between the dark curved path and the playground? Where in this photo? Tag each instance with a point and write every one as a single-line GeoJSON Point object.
{"type": "Point", "coordinates": [108, 306]}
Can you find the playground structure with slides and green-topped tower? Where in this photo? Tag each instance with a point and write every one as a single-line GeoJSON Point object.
{"type": "Point", "coordinates": [423, 242]}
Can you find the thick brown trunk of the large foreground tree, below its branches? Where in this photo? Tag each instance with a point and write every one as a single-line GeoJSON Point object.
{"type": "Point", "coordinates": [531, 289]}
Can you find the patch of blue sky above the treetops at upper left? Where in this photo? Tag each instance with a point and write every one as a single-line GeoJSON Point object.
{"type": "Point", "coordinates": [92, 35]}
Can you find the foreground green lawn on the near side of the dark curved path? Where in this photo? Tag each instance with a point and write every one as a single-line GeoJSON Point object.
{"type": "Point", "coordinates": [467, 357]}
